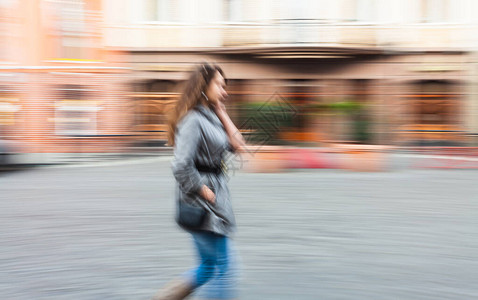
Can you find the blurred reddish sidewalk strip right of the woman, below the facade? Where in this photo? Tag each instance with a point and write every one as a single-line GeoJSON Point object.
{"type": "Point", "coordinates": [371, 158]}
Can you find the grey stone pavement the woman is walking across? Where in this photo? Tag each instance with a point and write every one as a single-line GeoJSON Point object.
{"type": "Point", "coordinates": [107, 232]}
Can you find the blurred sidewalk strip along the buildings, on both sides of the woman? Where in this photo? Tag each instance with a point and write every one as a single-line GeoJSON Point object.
{"type": "Point", "coordinates": [371, 158]}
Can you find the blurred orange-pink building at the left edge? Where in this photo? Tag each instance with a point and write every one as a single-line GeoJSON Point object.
{"type": "Point", "coordinates": [59, 89]}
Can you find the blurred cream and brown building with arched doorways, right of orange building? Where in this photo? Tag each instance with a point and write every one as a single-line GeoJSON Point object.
{"type": "Point", "coordinates": [407, 69]}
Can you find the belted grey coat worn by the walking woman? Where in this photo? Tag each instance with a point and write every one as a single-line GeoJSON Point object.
{"type": "Point", "coordinates": [200, 139]}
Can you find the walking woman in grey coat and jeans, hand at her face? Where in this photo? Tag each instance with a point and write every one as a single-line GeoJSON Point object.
{"type": "Point", "coordinates": [202, 133]}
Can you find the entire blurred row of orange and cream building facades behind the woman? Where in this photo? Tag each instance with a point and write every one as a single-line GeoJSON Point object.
{"type": "Point", "coordinates": [91, 75]}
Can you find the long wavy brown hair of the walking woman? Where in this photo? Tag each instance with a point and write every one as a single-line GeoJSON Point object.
{"type": "Point", "coordinates": [192, 95]}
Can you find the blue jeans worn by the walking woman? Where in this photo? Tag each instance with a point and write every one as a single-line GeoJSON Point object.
{"type": "Point", "coordinates": [217, 268]}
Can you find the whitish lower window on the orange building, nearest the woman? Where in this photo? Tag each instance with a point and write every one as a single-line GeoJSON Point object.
{"type": "Point", "coordinates": [75, 113]}
